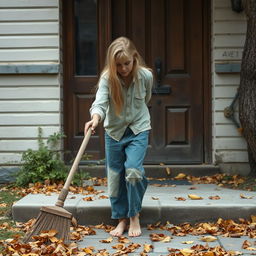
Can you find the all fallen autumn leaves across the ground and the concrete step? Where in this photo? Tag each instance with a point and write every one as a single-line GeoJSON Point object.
{"type": "Point", "coordinates": [47, 244]}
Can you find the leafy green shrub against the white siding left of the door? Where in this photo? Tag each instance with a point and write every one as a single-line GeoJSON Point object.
{"type": "Point", "coordinates": [42, 164]}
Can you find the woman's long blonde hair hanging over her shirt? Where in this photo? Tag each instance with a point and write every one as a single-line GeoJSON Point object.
{"type": "Point", "coordinates": [120, 48]}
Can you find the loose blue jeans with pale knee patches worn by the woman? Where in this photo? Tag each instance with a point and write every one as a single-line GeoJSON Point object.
{"type": "Point", "coordinates": [126, 176]}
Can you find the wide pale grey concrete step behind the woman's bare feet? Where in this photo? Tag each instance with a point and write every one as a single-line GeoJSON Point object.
{"type": "Point", "coordinates": [159, 204]}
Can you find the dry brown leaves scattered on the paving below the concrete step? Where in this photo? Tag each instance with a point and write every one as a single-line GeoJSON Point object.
{"type": "Point", "coordinates": [47, 244]}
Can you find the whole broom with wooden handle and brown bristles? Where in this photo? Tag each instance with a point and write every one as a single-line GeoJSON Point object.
{"type": "Point", "coordinates": [56, 217]}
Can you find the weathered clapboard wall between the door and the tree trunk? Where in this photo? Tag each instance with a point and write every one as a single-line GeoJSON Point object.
{"type": "Point", "coordinates": [228, 37]}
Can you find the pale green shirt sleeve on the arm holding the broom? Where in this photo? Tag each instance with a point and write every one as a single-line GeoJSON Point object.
{"type": "Point", "coordinates": [101, 102]}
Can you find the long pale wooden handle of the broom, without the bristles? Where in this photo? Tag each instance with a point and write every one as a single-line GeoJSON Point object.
{"type": "Point", "coordinates": [64, 191]}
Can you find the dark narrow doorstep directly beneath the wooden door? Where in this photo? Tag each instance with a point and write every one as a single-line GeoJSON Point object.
{"type": "Point", "coordinates": [97, 169]}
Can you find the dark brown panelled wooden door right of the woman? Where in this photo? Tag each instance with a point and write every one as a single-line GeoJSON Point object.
{"type": "Point", "coordinates": [177, 117]}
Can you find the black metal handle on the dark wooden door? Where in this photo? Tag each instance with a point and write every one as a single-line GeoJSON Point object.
{"type": "Point", "coordinates": [159, 88]}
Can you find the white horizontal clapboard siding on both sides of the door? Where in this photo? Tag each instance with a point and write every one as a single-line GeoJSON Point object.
{"type": "Point", "coordinates": [31, 80]}
